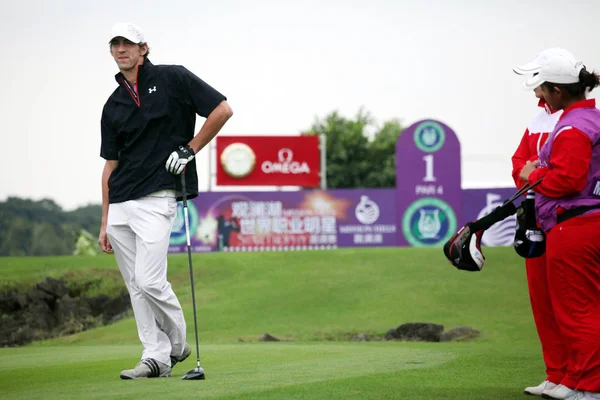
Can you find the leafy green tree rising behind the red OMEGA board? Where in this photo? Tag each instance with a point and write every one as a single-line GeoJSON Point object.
{"type": "Point", "coordinates": [354, 158]}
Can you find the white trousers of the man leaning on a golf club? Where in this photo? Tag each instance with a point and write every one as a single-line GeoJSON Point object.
{"type": "Point", "coordinates": [139, 232]}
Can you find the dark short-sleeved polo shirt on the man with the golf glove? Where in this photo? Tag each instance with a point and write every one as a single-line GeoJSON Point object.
{"type": "Point", "coordinates": [141, 130]}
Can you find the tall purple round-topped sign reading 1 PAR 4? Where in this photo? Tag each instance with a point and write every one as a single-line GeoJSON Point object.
{"type": "Point", "coordinates": [428, 184]}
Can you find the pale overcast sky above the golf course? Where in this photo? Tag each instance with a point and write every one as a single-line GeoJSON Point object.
{"type": "Point", "coordinates": [281, 64]}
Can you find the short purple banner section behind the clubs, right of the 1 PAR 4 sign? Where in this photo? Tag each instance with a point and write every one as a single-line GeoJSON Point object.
{"type": "Point", "coordinates": [477, 203]}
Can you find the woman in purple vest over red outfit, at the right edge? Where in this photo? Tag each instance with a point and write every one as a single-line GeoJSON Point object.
{"type": "Point", "coordinates": [568, 210]}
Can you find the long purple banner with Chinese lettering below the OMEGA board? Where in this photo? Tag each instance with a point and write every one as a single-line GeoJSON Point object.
{"type": "Point", "coordinates": [280, 221]}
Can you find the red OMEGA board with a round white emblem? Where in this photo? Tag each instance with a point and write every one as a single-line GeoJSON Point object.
{"type": "Point", "coordinates": [268, 161]}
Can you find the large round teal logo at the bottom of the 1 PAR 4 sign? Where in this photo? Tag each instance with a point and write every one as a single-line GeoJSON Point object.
{"type": "Point", "coordinates": [428, 222]}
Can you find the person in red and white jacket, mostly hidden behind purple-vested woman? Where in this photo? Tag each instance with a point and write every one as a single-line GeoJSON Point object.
{"type": "Point", "coordinates": [553, 349]}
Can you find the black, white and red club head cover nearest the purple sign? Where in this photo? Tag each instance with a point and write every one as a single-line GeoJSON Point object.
{"type": "Point", "coordinates": [463, 250]}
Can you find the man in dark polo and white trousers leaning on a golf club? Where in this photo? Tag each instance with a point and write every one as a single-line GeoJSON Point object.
{"type": "Point", "coordinates": [147, 138]}
